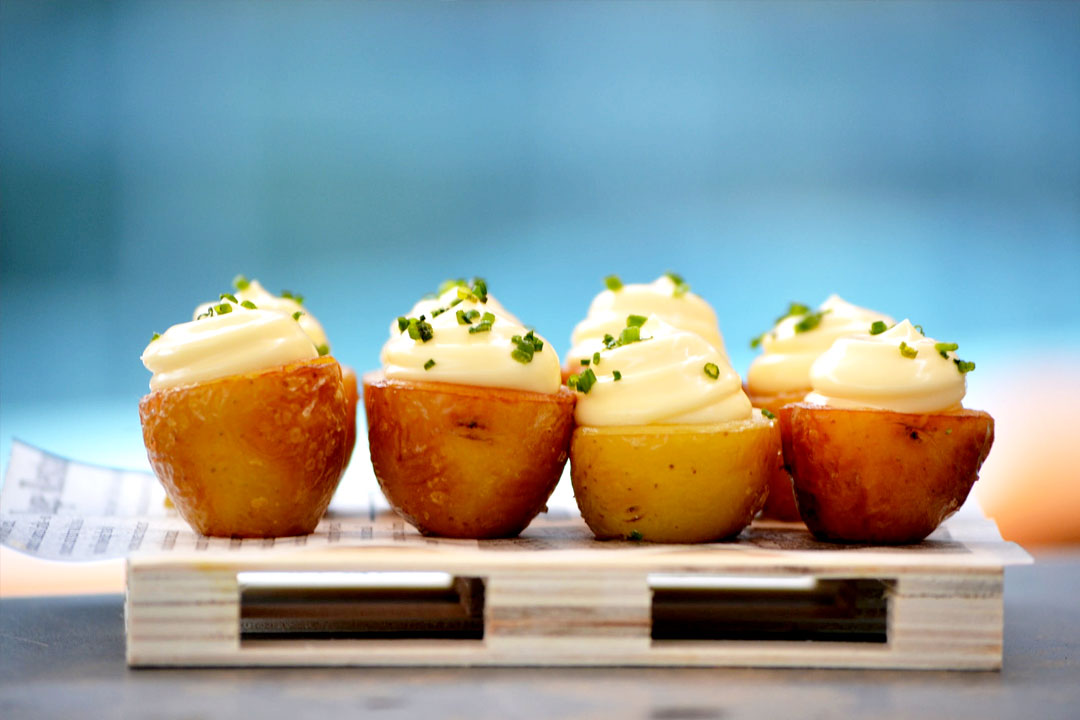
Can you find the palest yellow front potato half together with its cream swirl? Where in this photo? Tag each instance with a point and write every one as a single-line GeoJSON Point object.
{"type": "Point", "coordinates": [668, 449]}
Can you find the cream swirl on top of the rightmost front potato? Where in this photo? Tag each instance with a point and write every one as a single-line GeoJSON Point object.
{"type": "Point", "coordinates": [872, 372]}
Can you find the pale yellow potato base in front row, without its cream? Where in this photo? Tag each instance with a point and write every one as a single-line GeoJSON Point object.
{"type": "Point", "coordinates": [673, 484]}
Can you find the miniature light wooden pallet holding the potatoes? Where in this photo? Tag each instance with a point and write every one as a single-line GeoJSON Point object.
{"type": "Point", "coordinates": [556, 597]}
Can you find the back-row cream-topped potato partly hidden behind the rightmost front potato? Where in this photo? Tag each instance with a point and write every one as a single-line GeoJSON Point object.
{"type": "Point", "coordinates": [781, 375]}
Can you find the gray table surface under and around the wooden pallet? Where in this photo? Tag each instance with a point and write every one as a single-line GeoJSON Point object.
{"type": "Point", "coordinates": [64, 658]}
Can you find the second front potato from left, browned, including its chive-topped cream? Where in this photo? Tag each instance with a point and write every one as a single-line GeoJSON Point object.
{"type": "Point", "coordinates": [468, 423]}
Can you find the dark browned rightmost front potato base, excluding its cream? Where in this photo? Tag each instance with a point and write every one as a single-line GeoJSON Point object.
{"type": "Point", "coordinates": [875, 477]}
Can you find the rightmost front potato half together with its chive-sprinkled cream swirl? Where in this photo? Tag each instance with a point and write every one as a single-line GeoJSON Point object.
{"type": "Point", "coordinates": [883, 451]}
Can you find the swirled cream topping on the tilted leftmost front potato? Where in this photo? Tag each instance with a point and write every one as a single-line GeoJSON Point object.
{"type": "Point", "coordinates": [220, 346]}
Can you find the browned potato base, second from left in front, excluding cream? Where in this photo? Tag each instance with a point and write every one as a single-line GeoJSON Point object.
{"type": "Point", "coordinates": [463, 461]}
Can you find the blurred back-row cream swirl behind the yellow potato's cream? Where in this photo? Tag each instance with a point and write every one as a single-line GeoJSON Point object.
{"type": "Point", "coordinates": [664, 298]}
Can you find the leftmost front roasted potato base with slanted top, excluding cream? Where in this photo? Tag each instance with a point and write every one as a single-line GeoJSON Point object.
{"type": "Point", "coordinates": [251, 456]}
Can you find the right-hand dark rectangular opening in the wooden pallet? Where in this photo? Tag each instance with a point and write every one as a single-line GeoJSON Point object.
{"type": "Point", "coordinates": [803, 608]}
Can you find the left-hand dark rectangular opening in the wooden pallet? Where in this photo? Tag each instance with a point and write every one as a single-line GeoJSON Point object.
{"type": "Point", "coordinates": [360, 606]}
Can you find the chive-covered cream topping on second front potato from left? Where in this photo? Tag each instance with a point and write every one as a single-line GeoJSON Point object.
{"type": "Point", "coordinates": [454, 355]}
